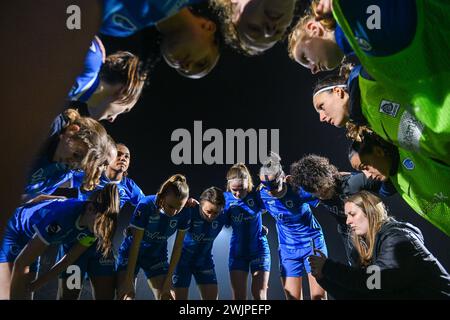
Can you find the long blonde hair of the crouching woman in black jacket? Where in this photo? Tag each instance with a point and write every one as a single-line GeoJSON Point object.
{"type": "Point", "coordinates": [376, 213]}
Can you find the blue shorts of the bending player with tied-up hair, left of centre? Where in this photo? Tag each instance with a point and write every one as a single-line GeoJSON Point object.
{"type": "Point", "coordinates": [152, 265]}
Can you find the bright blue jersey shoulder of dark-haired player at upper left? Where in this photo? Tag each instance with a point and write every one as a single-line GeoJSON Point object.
{"type": "Point", "coordinates": [87, 82]}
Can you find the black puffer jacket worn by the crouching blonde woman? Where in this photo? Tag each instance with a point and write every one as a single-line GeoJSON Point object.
{"type": "Point", "coordinates": [408, 269]}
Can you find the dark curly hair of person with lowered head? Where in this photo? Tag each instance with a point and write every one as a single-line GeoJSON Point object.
{"type": "Point", "coordinates": [314, 173]}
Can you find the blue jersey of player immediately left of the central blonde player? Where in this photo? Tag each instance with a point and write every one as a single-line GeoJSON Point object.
{"type": "Point", "coordinates": [201, 235]}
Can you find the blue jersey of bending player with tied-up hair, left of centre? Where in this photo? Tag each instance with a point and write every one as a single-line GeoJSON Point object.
{"type": "Point", "coordinates": [157, 225]}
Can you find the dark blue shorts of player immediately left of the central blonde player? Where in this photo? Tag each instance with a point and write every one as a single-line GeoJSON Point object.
{"type": "Point", "coordinates": [202, 268]}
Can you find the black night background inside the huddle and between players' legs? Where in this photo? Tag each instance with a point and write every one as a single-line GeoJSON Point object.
{"type": "Point", "coordinates": [265, 92]}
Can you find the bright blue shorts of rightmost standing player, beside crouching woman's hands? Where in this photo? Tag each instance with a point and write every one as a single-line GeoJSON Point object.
{"type": "Point", "coordinates": [294, 262]}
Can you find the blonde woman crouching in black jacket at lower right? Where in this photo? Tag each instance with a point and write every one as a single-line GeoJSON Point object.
{"type": "Point", "coordinates": [393, 260]}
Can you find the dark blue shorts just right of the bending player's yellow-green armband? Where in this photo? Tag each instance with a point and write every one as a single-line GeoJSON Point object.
{"type": "Point", "coordinates": [91, 262]}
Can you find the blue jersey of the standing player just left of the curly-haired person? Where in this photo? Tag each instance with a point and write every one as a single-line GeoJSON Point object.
{"type": "Point", "coordinates": [296, 224]}
